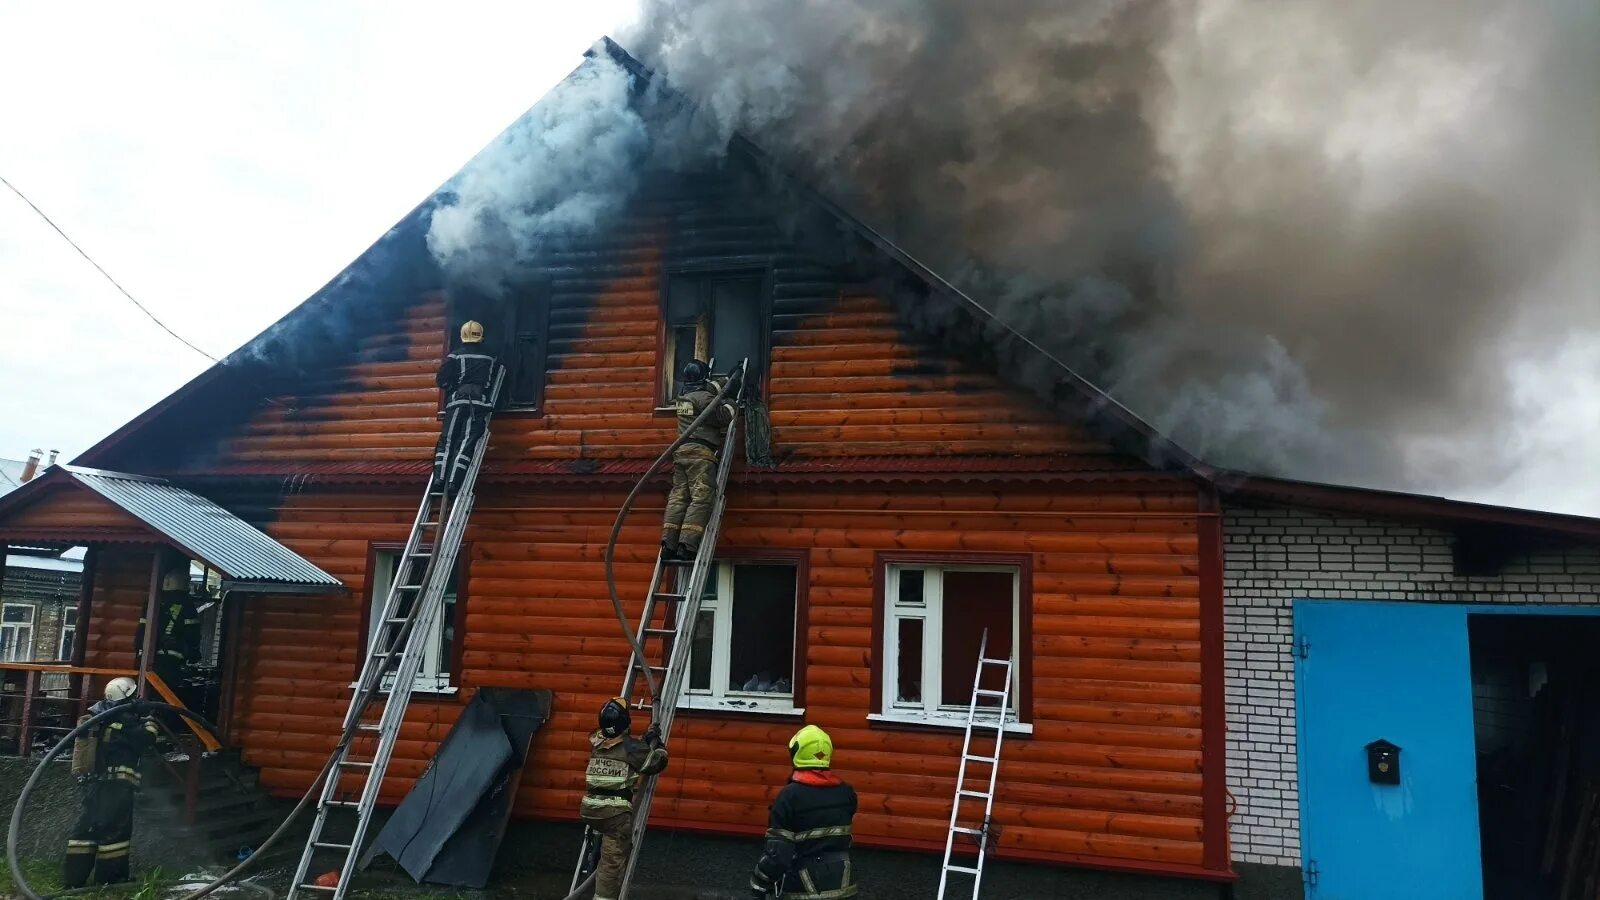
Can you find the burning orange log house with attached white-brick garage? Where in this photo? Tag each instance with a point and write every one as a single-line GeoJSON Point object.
{"type": "Point", "coordinates": [935, 476]}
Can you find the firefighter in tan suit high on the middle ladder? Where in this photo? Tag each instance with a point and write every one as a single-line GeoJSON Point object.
{"type": "Point", "coordinates": [695, 462]}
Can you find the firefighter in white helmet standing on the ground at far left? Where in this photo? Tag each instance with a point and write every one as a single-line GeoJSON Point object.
{"type": "Point", "coordinates": [106, 763]}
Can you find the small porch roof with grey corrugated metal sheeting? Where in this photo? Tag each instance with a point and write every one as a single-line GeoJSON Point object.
{"type": "Point", "coordinates": [150, 510]}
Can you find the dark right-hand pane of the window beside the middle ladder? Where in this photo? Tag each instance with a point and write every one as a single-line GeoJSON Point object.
{"type": "Point", "coordinates": [762, 653]}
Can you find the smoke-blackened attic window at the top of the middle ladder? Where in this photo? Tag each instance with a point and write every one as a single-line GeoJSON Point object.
{"type": "Point", "coordinates": [718, 318]}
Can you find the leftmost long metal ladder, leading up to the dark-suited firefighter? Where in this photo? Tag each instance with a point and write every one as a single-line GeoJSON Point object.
{"type": "Point", "coordinates": [398, 646]}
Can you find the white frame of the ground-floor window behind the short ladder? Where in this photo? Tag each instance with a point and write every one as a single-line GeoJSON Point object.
{"type": "Point", "coordinates": [937, 710]}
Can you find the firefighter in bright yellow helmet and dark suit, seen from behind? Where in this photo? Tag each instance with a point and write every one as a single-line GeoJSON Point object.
{"type": "Point", "coordinates": [809, 829]}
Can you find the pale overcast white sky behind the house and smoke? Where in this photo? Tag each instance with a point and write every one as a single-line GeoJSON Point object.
{"type": "Point", "coordinates": [225, 161]}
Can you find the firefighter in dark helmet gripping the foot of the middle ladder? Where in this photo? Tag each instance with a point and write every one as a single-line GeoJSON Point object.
{"type": "Point", "coordinates": [617, 763]}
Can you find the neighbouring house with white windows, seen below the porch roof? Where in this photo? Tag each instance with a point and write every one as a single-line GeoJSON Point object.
{"type": "Point", "coordinates": [41, 605]}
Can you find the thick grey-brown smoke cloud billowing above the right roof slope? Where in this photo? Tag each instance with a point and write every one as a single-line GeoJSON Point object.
{"type": "Point", "coordinates": [1298, 236]}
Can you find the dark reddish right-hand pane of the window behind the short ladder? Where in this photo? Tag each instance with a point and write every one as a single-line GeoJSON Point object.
{"type": "Point", "coordinates": [974, 601]}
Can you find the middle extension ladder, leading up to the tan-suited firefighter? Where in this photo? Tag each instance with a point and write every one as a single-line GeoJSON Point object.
{"type": "Point", "coordinates": [678, 611]}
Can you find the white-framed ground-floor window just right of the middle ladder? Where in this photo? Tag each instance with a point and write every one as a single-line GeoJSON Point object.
{"type": "Point", "coordinates": [743, 641]}
